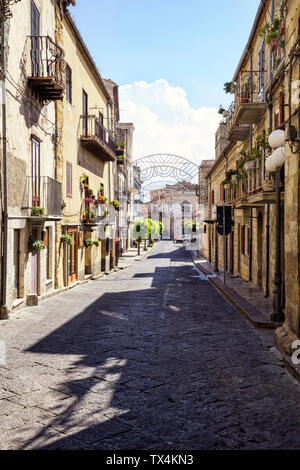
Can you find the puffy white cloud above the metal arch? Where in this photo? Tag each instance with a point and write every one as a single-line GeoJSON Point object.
{"type": "Point", "coordinates": [166, 123]}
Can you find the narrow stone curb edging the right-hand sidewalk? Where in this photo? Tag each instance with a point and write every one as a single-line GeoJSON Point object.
{"type": "Point", "coordinates": [251, 313]}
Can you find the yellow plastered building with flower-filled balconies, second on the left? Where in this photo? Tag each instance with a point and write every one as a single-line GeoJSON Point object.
{"type": "Point", "coordinates": [87, 125]}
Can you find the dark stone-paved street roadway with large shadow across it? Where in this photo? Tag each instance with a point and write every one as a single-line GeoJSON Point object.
{"type": "Point", "coordinates": [150, 357]}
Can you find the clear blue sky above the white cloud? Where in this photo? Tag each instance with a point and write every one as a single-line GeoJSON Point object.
{"type": "Point", "coordinates": [194, 44]}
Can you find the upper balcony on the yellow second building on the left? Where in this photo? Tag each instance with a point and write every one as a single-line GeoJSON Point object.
{"type": "Point", "coordinates": [97, 139]}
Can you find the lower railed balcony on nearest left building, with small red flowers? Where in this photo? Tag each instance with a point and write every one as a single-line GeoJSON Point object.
{"type": "Point", "coordinates": [42, 192]}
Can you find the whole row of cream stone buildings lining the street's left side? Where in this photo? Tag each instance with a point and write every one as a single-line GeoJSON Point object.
{"type": "Point", "coordinates": [58, 160]}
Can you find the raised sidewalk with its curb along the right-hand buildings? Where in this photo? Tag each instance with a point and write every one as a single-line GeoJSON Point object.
{"type": "Point", "coordinates": [248, 299]}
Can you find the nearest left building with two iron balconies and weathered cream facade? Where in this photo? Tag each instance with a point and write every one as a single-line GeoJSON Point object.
{"type": "Point", "coordinates": [32, 80]}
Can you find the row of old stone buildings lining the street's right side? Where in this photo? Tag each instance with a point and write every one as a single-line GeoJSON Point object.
{"type": "Point", "coordinates": [257, 175]}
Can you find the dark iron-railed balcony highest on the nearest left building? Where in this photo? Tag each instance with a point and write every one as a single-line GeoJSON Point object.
{"type": "Point", "coordinates": [46, 78]}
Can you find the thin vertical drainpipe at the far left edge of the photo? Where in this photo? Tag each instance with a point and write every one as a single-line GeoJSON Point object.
{"type": "Point", "coordinates": [4, 309]}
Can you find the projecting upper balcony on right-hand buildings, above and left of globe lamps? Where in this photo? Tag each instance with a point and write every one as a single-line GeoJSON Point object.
{"type": "Point", "coordinates": [249, 98]}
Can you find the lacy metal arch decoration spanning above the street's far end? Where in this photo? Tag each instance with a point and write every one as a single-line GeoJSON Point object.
{"type": "Point", "coordinates": [164, 165]}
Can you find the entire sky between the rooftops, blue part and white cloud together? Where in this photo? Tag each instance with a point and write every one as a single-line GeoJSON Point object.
{"type": "Point", "coordinates": [170, 59]}
